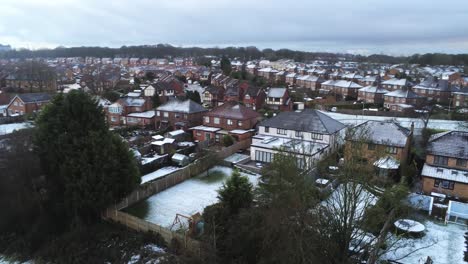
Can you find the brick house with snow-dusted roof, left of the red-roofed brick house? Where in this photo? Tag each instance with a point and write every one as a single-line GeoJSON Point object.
{"type": "Point", "coordinates": [178, 114]}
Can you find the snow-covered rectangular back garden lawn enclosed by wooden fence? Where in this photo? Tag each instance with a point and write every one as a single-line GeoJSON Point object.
{"type": "Point", "coordinates": [186, 198]}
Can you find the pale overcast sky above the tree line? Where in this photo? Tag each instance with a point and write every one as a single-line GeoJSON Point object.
{"type": "Point", "coordinates": [354, 26]}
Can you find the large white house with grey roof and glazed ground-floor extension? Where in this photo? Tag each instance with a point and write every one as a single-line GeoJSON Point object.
{"type": "Point", "coordinates": [308, 135]}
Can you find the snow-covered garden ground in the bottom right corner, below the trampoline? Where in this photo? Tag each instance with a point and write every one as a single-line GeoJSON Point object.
{"type": "Point", "coordinates": [445, 244]}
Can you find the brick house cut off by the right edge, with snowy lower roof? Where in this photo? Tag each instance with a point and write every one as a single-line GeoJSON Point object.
{"type": "Point", "coordinates": [446, 167]}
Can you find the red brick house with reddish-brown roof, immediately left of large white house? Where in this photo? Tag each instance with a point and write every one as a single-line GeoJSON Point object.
{"type": "Point", "coordinates": [228, 119]}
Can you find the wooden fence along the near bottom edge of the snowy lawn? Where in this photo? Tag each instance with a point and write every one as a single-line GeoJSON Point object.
{"type": "Point", "coordinates": [135, 223]}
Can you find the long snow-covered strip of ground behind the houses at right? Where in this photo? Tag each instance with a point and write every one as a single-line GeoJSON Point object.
{"type": "Point", "coordinates": [404, 121]}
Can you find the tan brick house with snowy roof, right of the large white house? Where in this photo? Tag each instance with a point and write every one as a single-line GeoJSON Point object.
{"type": "Point", "coordinates": [384, 144]}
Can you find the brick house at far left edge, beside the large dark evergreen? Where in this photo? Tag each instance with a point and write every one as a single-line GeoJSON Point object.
{"type": "Point", "coordinates": [28, 103]}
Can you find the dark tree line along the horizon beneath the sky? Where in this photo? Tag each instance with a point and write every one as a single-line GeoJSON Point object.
{"type": "Point", "coordinates": [243, 53]}
